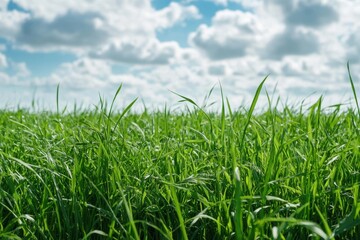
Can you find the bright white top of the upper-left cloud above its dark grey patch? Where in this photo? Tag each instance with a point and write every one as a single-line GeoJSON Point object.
{"type": "Point", "coordinates": [125, 15]}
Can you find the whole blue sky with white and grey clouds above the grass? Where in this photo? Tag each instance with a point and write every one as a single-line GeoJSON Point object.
{"type": "Point", "coordinates": [89, 47]}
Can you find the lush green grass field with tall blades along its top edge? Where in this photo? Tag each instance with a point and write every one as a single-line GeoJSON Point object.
{"type": "Point", "coordinates": [289, 174]}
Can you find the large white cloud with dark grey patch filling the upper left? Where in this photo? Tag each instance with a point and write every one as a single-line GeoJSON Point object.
{"type": "Point", "coordinates": [123, 31]}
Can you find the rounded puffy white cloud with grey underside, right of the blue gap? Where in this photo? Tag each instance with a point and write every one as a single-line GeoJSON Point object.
{"type": "Point", "coordinates": [231, 35]}
